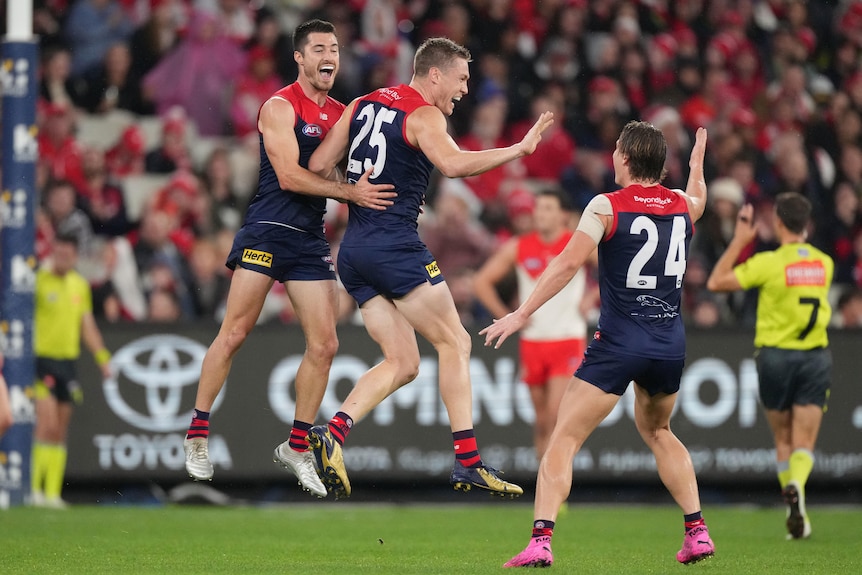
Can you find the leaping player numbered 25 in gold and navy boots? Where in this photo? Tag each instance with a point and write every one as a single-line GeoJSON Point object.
{"type": "Point", "coordinates": [401, 133]}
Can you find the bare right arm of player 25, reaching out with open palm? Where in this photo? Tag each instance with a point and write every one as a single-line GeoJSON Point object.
{"type": "Point", "coordinates": [427, 129]}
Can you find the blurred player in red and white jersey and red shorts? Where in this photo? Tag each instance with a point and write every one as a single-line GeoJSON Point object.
{"type": "Point", "coordinates": [552, 346]}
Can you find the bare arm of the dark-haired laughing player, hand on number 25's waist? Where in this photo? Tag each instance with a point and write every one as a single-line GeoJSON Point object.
{"type": "Point", "coordinates": [277, 118]}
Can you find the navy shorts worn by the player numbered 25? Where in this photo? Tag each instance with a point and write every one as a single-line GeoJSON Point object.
{"type": "Point", "coordinates": [390, 271]}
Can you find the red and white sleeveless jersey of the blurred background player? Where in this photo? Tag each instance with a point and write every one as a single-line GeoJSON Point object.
{"type": "Point", "coordinates": [560, 317]}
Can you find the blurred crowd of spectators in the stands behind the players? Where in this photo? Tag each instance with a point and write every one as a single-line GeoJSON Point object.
{"type": "Point", "coordinates": [149, 147]}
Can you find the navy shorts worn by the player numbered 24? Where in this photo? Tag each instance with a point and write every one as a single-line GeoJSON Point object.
{"type": "Point", "coordinates": [611, 371]}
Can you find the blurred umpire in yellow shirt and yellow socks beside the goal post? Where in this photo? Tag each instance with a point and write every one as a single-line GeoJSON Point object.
{"type": "Point", "coordinates": [63, 315]}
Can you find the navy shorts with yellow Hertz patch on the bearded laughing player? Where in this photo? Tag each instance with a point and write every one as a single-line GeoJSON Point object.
{"type": "Point", "coordinates": [281, 253]}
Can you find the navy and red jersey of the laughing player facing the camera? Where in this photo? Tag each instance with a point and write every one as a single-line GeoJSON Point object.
{"type": "Point", "coordinates": [271, 204]}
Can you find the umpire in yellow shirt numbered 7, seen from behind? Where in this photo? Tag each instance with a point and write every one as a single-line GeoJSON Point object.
{"type": "Point", "coordinates": [794, 364]}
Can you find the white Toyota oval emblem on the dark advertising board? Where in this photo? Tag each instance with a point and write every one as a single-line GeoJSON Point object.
{"type": "Point", "coordinates": [161, 366]}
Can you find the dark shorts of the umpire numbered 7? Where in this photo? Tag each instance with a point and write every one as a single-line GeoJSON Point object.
{"type": "Point", "coordinates": [789, 377]}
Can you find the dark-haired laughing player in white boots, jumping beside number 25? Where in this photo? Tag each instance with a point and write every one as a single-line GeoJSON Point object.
{"type": "Point", "coordinates": [282, 239]}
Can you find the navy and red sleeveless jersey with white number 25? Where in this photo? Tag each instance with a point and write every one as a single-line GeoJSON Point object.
{"type": "Point", "coordinates": [378, 138]}
